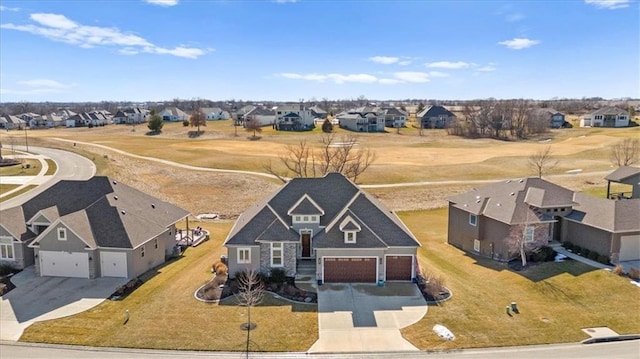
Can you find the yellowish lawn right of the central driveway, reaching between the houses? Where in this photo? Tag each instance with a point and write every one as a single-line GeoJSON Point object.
{"type": "Point", "coordinates": [555, 300]}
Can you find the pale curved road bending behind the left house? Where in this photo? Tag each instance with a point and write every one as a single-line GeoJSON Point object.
{"type": "Point", "coordinates": [70, 166]}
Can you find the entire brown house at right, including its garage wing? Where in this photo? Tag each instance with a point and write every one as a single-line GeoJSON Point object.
{"type": "Point", "coordinates": [481, 220]}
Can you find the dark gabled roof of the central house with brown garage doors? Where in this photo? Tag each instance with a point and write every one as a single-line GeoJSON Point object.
{"type": "Point", "coordinates": [339, 199]}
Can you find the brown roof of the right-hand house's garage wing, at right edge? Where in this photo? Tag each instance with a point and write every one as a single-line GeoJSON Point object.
{"type": "Point", "coordinates": [610, 215]}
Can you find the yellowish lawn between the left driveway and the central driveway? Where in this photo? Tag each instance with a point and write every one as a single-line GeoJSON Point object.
{"type": "Point", "coordinates": [165, 315]}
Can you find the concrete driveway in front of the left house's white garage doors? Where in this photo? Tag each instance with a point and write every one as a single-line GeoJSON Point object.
{"type": "Point", "coordinates": [42, 298]}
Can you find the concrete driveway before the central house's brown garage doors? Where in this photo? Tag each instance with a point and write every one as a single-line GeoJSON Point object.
{"type": "Point", "coordinates": [365, 317]}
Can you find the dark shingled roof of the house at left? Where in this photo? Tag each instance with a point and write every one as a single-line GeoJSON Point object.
{"type": "Point", "coordinates": [104, 212]}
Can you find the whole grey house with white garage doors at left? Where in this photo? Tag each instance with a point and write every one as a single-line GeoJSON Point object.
{"type": "Point", "coordinates": [89, 229]}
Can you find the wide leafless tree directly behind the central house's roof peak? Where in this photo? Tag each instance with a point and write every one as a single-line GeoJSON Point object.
{"type": "Point", "coordinates": [332, 156]}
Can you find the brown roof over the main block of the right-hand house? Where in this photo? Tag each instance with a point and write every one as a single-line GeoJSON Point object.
{"type": "Point", "coordinates": [510, 201]}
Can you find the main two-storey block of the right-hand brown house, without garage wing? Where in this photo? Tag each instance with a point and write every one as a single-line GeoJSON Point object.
{"type": "Point", "coordinates": [481, 220]}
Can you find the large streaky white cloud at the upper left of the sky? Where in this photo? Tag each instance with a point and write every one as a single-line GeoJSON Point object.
{"type": "Point", "coordinates": [60, 28]}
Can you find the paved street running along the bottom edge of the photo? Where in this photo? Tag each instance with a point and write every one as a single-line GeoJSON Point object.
{"type": "Point", "coordinates": [618, 350]}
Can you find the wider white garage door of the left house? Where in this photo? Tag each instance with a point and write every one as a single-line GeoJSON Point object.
{"type": "Point", "coordinates": [64, 264]}
